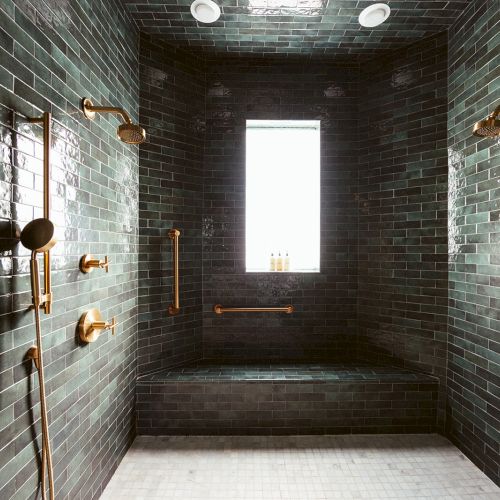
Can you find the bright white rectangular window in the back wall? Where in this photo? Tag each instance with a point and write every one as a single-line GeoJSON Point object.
{"type": "Point", "coordinates": [283, 194]}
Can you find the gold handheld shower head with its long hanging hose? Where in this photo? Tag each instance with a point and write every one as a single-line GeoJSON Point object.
{"type": "Point", "coordinates": [38, 236]}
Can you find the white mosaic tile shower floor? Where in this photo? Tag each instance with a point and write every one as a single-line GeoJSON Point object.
{"type": "Point", "coordinates": [297, 468]}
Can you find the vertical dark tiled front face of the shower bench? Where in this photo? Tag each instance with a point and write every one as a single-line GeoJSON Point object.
{"type": "Point", "coordinates": [286, 407]}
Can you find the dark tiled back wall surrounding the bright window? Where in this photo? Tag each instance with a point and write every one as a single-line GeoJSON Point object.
{"type": "Point", "coordinates": [323, 326]}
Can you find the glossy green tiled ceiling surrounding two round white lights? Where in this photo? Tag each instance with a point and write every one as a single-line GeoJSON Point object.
{"type": "Point", "coordinates": [315, 27]}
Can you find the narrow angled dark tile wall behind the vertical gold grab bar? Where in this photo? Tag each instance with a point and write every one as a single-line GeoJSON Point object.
{"type": "Point", "coordinates": [172, 108]}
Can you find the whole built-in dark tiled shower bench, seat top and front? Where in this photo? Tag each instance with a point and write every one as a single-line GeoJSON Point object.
{"type": "Point", "coordinates": [217, 399]}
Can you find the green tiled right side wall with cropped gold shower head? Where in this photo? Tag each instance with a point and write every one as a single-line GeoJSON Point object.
{"type": "Point", "coordinates": [474, 242]}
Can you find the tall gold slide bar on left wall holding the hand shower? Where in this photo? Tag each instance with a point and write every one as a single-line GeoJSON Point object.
{"type": "Point", "coordinates": [46, 121]}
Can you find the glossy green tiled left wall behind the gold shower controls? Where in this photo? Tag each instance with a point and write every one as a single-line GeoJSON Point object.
{"type": "Point", "coordinates": [52, 54]}
